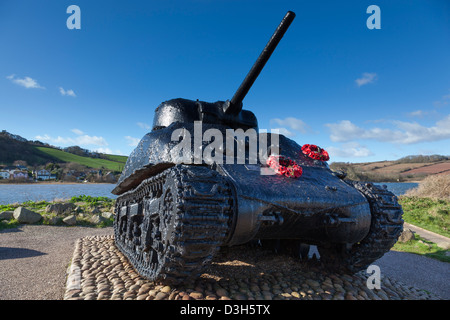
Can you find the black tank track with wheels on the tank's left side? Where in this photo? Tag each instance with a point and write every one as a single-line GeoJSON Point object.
{"type": "Point", "coordinates": [173, 223]}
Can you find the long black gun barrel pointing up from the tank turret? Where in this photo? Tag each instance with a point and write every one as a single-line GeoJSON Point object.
{"type": "Point", "coordinates": [235, 105]}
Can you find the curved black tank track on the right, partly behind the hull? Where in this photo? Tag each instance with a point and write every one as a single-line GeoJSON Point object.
{"type": "Point", "coordinates": [386, 226]}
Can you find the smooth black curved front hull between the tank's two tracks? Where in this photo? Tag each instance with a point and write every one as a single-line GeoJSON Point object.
{"type": "Point", "coordinates": [317, 208]}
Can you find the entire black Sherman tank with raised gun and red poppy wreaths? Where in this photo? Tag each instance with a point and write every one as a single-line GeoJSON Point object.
{"type": "Point", "coordinates": [193, 185]}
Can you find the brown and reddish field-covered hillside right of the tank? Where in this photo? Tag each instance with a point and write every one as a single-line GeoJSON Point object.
{"type": "Point", "coordinates": [407, 169]}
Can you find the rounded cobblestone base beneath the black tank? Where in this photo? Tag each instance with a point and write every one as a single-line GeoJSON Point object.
{"type": "Point", "coordinates": [100, 272]}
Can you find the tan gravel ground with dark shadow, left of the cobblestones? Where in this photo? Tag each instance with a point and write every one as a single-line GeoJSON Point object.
{"type": "Point", "coordinates": [34, 260]}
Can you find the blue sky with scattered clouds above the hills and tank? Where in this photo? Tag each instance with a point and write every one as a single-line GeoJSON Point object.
{"type": "Point", "coordinates": [362, 94]}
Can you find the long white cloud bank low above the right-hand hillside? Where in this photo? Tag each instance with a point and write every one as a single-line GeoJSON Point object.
{"type": "Point", "coordinates": [404, 132]}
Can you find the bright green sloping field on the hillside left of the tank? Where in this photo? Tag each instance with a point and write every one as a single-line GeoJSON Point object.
{"type": "Point", "coordinates": [116, 163]}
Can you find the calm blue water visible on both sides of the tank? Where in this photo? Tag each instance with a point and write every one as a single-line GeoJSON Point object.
{"type": "Point", "coordinates": [35, 192]}
